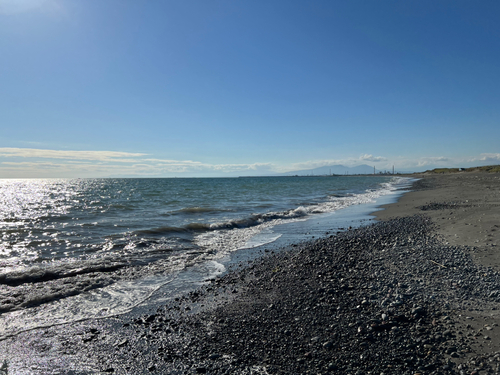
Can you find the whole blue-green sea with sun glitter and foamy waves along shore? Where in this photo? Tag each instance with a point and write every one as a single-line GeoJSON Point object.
{"type": "Point", "coordinates": [89, 248]}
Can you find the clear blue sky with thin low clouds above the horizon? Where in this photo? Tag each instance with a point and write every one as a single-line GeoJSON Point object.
{"type": "Point", "coordinates": [123, 88]}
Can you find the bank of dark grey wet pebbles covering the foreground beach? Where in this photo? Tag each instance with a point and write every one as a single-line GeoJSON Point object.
{"type": "Point", "coordinates": [382, 299]}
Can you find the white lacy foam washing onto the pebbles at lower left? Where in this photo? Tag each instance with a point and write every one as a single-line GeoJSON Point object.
{"type": "Point", "coordinates": [118, 298]}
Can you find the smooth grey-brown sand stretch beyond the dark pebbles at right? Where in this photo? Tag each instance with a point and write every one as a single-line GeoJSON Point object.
{"type": "Point", "coordinates": [465, 207]}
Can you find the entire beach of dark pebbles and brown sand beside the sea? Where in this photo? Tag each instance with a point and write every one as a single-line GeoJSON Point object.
{"type": "Point", "coordinates": [417, 292]}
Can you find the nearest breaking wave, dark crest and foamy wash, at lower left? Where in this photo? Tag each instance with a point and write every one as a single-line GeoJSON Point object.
{"type": "Point", "coordinates": [98, 297]}
